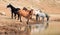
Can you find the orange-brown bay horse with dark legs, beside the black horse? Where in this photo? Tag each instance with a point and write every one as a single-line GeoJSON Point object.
{"type": "Point", "coordinates": [27, 14]}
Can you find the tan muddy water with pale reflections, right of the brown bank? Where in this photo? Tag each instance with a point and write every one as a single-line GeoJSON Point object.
{"type": "Point", "coordinates": [52, 29]}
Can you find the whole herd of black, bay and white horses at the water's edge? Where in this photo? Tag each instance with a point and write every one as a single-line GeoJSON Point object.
{"type": "Point", "coordinates": [26, 13]}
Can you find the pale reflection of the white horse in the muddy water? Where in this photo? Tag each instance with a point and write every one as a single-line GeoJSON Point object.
{"type": "Point", "coordinates": [38, 27]}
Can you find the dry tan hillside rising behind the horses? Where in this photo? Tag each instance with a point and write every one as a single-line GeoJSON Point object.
{"type": "Point", "coordinates": [48, 6]}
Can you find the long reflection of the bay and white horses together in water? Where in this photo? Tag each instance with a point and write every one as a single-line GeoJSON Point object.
{"type": "Point", "coordinates": [34, 28]}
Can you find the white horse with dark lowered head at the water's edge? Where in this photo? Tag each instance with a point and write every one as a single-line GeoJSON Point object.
{"type": "Point", "coordinates": [39, 14]}
